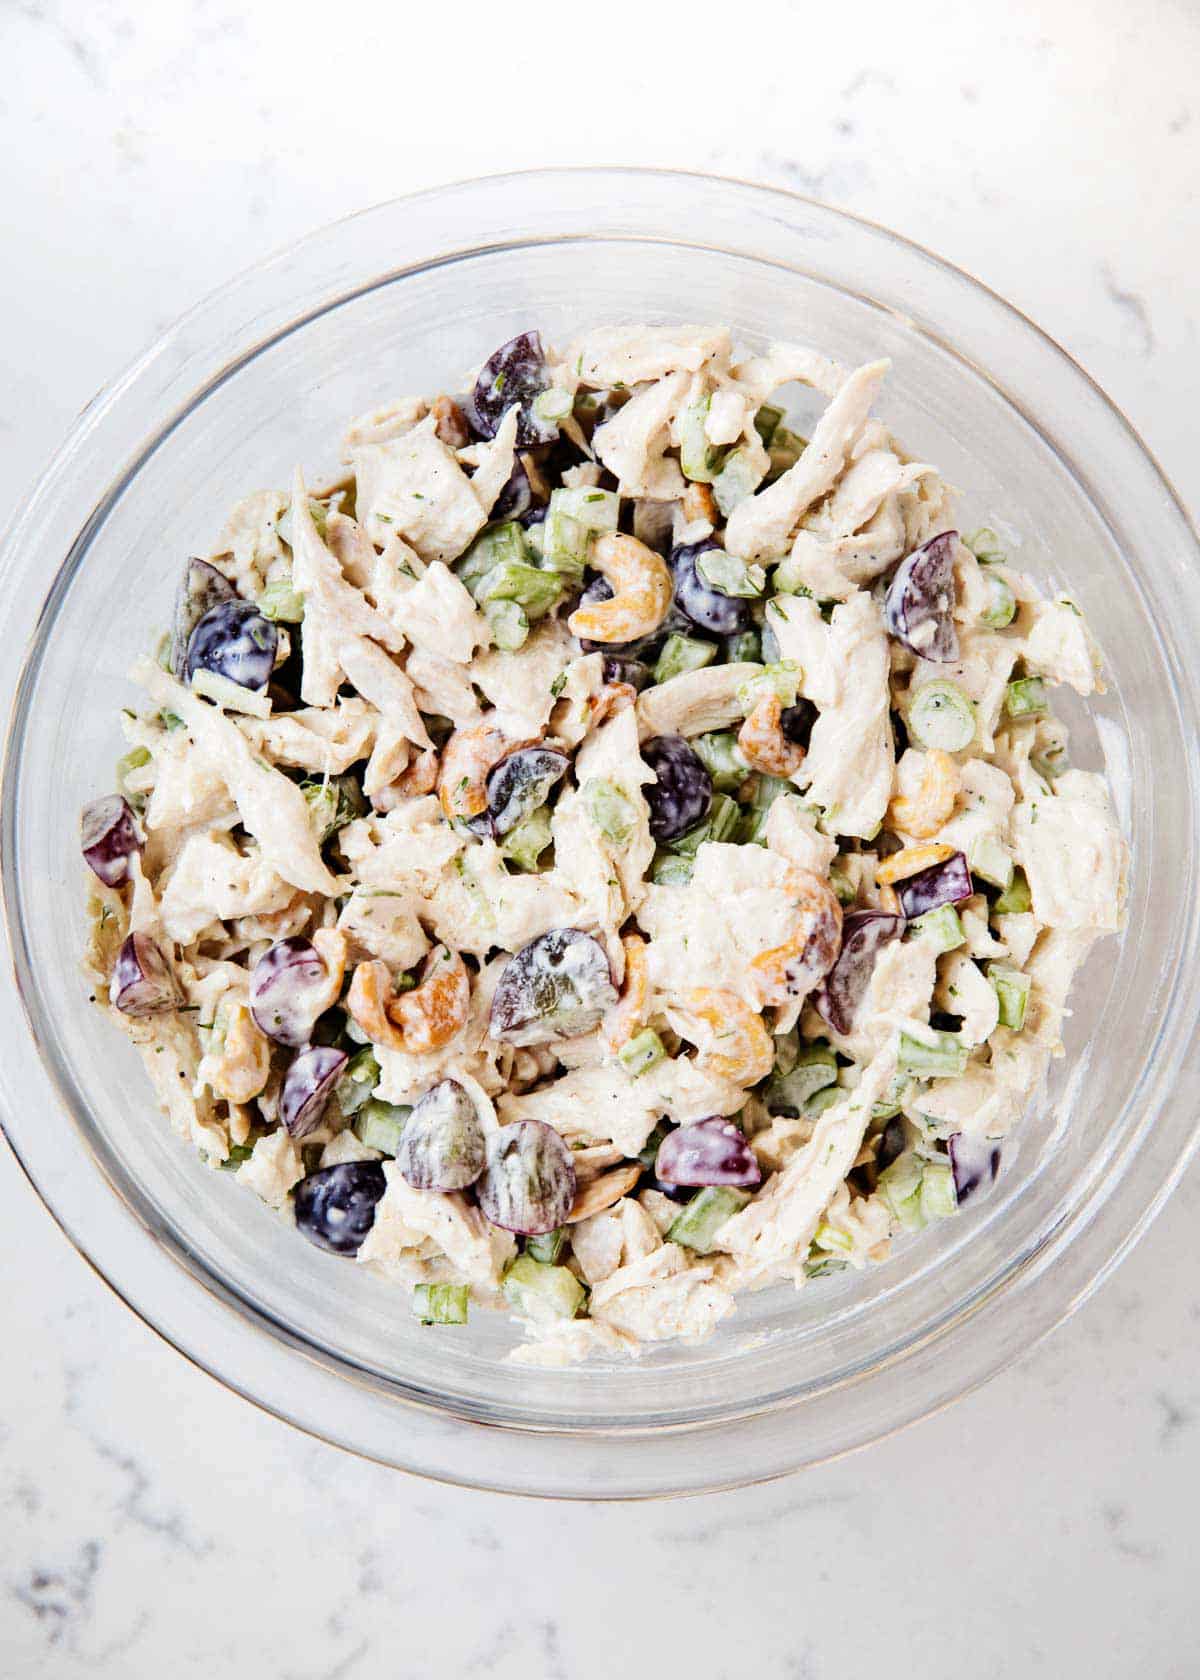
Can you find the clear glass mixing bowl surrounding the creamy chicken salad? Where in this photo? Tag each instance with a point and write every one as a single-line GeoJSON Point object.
{"type": "Point", "coordinates": [263, 375]}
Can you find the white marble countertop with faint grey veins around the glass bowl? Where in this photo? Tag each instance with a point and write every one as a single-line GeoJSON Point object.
{"type": "Point", "coordinates": [154, 1525]}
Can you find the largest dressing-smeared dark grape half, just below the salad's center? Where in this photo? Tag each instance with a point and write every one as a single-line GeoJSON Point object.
{"type": "Point", "coordinates": [555, 987]}
